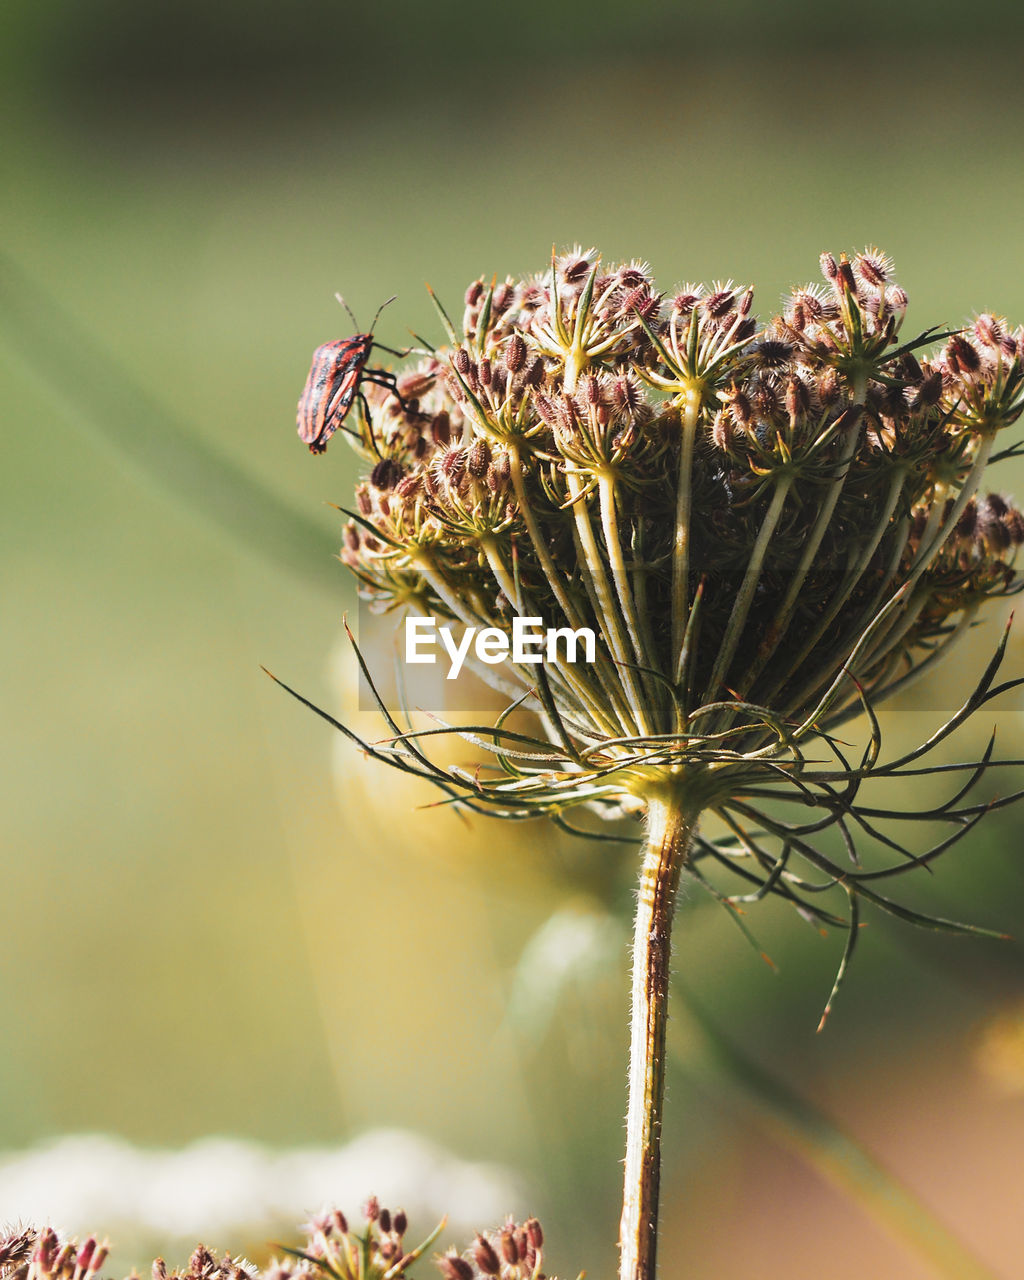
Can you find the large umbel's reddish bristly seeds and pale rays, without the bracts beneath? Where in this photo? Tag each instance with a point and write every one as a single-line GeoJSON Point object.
{"type": "Point", "coordinates": [730, 508]}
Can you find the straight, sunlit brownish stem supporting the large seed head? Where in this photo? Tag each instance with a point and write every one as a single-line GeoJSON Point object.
{"type": "Point", "coordinates": [671, 830]}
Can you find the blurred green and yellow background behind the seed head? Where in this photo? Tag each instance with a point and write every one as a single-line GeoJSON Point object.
{"type": "Point", "coordinates": [207, 932]}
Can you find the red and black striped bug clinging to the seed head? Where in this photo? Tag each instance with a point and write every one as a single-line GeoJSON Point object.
{"type": "Point", "coordinates": [337, 372]}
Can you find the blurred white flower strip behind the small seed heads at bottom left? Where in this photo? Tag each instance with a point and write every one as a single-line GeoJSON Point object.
{"type": "Point", "coordinates": [222, 1190]}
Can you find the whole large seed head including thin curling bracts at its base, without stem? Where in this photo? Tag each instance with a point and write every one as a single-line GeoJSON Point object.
{"type": "Point", "coordinates": [770, 529]}
